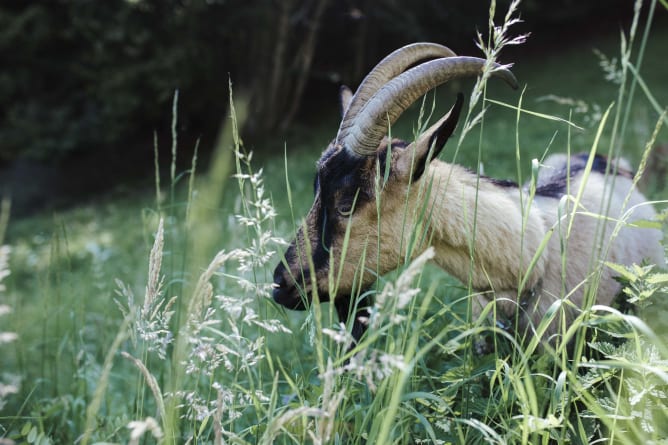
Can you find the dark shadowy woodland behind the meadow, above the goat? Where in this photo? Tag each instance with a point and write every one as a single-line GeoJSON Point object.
{"type": "Point", "coordinates": [85, 84]}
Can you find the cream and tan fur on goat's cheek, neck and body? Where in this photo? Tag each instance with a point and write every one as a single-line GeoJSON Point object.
{"type": "Point", "coordinates": [505, 238]}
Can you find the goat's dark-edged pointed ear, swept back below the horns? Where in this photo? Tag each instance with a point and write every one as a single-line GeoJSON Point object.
{"type": "Point", "coordinates": [413, 160]}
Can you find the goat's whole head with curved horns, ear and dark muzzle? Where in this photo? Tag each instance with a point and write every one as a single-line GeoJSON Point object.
{"type": "Point", "coordinates": [353, 231]}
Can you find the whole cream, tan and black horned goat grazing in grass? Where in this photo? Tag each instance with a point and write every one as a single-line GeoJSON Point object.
{"type": "Point", "coordinates": [380, 202]}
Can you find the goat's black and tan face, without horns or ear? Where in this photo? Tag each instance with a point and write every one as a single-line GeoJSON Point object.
{"type": "Point", "coordinates": [342, 228]}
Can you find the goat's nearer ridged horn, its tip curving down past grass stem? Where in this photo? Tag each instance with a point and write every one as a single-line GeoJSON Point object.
{"type": "Point", "coordinates": [363, 134]}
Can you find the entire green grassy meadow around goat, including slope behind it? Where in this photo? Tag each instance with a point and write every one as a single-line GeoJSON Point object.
{"type": "Point", "coordinates": [146, 317]}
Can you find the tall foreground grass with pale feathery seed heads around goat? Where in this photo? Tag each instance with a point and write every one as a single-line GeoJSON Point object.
{"type": "Point", "coordinates": [202, 355]}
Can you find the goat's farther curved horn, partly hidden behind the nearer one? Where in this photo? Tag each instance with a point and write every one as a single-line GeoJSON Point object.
{"type": "Point", "coordinates": [390, 67]}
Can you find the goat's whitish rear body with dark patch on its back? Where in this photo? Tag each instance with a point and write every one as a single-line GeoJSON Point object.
{"type": "Point", "coordinates": [592, 230]}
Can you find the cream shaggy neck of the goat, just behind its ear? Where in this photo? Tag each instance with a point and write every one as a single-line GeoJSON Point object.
{"type": "Point", "coordinates": [473, 218]}
